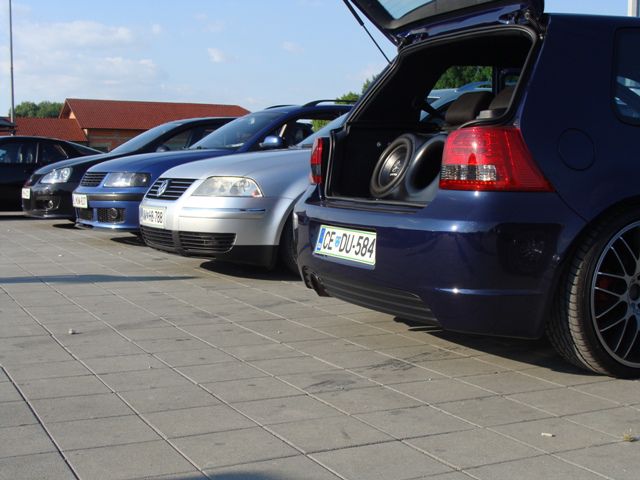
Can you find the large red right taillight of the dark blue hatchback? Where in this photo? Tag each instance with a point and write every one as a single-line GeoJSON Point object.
{"type": "Point", "coordinates": [490, 158]}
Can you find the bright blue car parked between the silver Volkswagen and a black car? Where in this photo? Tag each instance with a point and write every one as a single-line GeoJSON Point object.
{"type": "Point", "coordinates": [109, 193]}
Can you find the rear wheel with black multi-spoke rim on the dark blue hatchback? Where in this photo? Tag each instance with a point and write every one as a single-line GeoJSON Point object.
{"type": "Point", "coordinates": [595, 322]}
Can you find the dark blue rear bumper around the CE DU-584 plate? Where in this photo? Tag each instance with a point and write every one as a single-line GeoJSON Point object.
{"type": "Point", "coordinates": [473, 262]}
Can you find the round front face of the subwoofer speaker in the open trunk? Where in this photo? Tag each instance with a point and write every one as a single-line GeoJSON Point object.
{"type": "Point", "coordinates": [392, 165]}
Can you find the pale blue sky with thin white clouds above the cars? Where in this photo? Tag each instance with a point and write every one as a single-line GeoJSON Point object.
{"type": "Point", "coordinates": [252, 53]}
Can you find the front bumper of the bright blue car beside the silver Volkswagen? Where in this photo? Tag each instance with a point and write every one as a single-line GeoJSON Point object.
{"type": "Point", "coordinates": [113, 210]}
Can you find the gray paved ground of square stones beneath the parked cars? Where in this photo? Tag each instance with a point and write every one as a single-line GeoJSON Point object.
{"type": "Point", "coordinates": [118, 361]}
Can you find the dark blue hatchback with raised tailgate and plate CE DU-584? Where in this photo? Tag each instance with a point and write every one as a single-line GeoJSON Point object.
{"type": "Point", "coordinates": [516, 214]}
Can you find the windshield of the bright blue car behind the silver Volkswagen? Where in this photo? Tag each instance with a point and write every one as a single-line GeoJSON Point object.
{"type": "Point", "coordinates": [234, 134]}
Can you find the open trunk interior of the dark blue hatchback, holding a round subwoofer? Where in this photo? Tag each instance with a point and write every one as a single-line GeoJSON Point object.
{"type": "Point", "coordinates": [391, 149]}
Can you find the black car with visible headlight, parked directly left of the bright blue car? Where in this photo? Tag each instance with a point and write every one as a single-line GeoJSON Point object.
{"type": "Point", "coordinates": [47, 194]}
